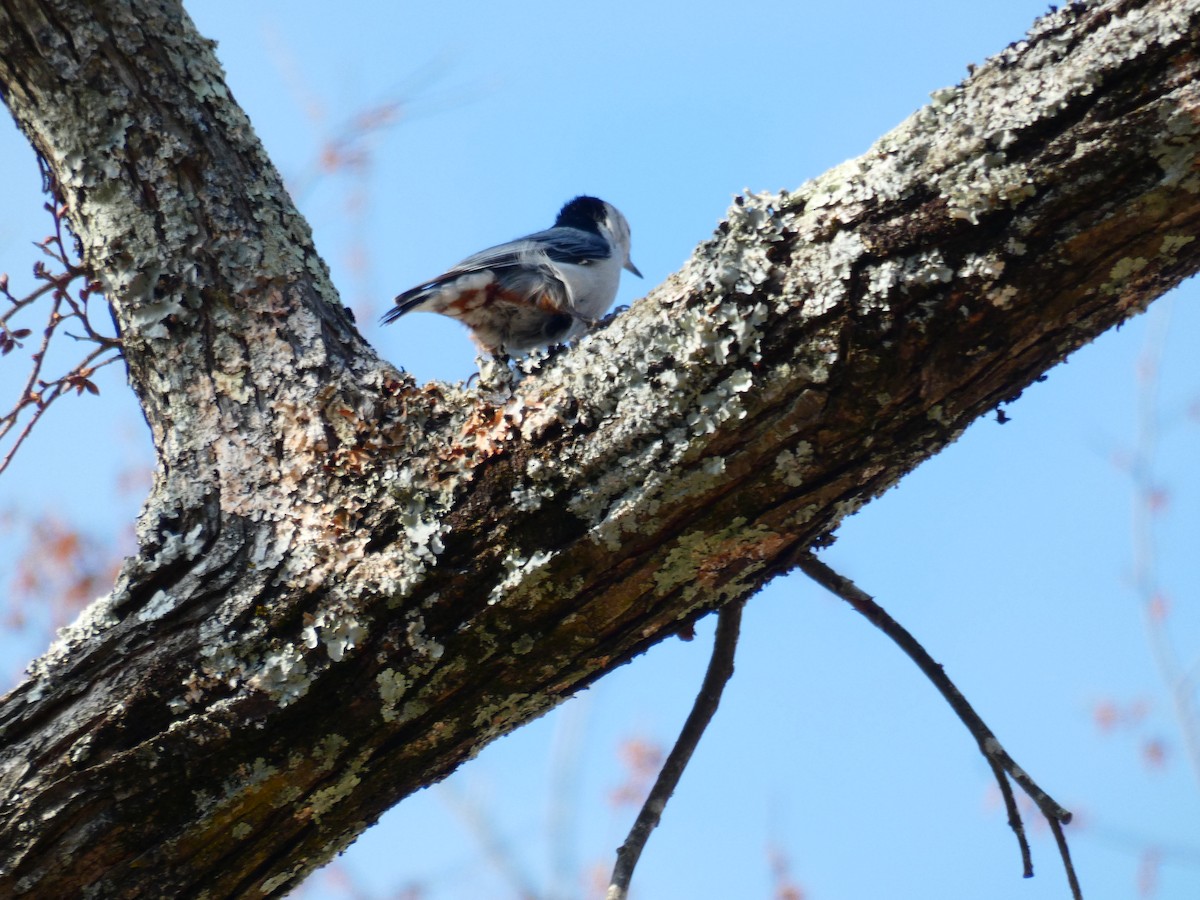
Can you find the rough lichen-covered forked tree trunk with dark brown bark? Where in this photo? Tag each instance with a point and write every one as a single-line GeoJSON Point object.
{"type": "Point", "coordinates": [347, 584]}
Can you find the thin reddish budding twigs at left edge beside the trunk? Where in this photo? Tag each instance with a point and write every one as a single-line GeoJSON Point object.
{"type": "Point", "coordinates": [38, 394]}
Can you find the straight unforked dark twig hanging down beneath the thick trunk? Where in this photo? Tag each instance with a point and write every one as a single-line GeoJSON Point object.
{"type": "Point", "coordinates": [721, 669]}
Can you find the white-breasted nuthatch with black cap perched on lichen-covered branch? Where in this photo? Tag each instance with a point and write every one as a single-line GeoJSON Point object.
{"type": "Point", "coordinates": [541, 290]}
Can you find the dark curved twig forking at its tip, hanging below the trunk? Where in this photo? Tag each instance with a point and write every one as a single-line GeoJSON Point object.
{"type": "Point", "coordinates": [1003, 765]}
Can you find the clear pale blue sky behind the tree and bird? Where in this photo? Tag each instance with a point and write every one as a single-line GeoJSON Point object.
{"type": "Point", "coordinates": [1010, 555]}
